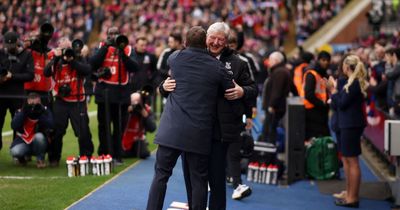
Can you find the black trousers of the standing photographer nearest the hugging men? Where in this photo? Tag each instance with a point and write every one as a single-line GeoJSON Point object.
{"type": "Point", "coordinates": [118, 118]}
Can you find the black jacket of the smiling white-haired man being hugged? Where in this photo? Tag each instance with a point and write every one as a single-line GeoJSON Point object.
{"type": "Point", "coordinates": [230, 113]}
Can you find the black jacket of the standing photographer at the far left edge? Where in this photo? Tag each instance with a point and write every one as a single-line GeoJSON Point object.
{"type": "Point", "coordinates": [22, 71]}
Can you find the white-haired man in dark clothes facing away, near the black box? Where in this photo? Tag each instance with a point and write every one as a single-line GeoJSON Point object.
{"type": "Point", "coordinates": [276, 91]}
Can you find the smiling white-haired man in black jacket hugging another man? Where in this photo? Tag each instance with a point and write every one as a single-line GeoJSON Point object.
{"type": "Point", "coordinates": [236, 102]}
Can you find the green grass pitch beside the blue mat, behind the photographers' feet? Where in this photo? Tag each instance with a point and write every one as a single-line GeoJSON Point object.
{"type": "Point", "coordinates": [49, 188]}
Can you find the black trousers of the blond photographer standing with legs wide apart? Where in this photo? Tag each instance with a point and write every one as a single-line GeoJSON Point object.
{"type": "Point", "coordinates": [76, 112]}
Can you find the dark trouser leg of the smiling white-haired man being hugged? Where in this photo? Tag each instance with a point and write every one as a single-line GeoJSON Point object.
{"type": "Point", "coordinates": [217, 176]}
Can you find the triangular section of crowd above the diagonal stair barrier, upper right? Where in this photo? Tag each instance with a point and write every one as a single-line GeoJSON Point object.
{"type": "Point", "coordinates": [311, 15]}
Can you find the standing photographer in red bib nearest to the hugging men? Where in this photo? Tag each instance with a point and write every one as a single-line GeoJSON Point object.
{"type": "Point", "coordinates": [112, 64]}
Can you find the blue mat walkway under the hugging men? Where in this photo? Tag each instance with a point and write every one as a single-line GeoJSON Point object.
{"type": "Point", "coordinates": [130, 191]}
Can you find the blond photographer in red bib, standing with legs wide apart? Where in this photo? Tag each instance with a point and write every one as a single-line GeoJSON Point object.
{"type": "Point", "coordinates": [69, 69]}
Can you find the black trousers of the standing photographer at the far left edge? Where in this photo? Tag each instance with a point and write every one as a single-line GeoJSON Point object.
{"type": "Point", "coordinates": [12, 105]}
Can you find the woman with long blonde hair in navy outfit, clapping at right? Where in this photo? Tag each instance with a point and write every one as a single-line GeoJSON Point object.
{"type": "Point", "coordinates": [351, 120]}
